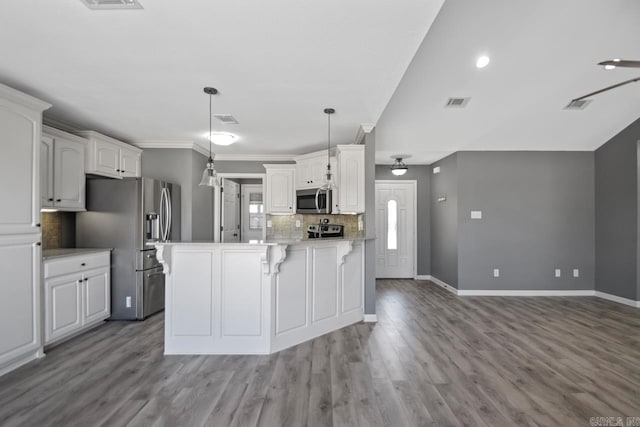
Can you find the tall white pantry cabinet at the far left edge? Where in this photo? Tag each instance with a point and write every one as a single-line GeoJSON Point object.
{"type": "Point", "coordinates": [20, 134]}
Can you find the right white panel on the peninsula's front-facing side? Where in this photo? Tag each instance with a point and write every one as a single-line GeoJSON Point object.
{"type": "Point", "coordinates": [241, 293]}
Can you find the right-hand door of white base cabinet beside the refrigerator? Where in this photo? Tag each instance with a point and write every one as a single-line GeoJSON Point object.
{"type": "Point", "coordinates": [97, 296]}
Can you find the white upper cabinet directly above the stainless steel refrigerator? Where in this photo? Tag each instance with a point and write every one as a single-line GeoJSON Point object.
{"type": "Point", "coordinates": [109, 157]}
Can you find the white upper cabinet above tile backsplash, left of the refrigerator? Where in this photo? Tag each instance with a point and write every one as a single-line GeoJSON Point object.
{"type": "Point", "coordinates": [62, 179]}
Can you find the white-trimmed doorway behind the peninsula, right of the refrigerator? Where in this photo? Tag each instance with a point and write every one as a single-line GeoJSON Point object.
{"type": "Point", "coordinates": [239, 216]}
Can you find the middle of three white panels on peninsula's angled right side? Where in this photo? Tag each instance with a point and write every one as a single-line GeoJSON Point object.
{"type": "Point", "coordinates": [325, 282]}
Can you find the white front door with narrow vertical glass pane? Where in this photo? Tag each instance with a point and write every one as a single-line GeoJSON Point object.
{"type": "Point", "coordinates": [395, 229]}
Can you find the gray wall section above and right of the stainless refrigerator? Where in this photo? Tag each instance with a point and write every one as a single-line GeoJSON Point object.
{"type": "Point", "coordinates": [184, 167]}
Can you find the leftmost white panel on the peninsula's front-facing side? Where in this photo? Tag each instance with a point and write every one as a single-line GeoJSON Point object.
{"type": "Point", "coordinates": [191, 297]}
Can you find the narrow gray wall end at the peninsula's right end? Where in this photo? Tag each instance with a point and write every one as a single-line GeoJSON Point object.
{"type": "Point", "coordinates": [370, 222]}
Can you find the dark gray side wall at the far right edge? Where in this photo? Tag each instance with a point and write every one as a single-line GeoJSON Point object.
{"type": "Point", "coordinates": [616, 193]}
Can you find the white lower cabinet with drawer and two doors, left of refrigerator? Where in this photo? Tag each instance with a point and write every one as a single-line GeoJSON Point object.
{"type": "Point", "coordinates": [77, 293]}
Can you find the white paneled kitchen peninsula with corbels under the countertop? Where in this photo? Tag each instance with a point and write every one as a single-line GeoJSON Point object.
{"type": "Point", "coordinates": [246, 298]}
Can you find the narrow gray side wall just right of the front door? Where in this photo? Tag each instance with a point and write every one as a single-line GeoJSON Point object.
{"type": "Point", "coordinates": [444, 221]}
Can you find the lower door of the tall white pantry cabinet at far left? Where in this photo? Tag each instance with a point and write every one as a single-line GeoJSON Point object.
{"type": "Point", "coordinates": [19, 297]}
